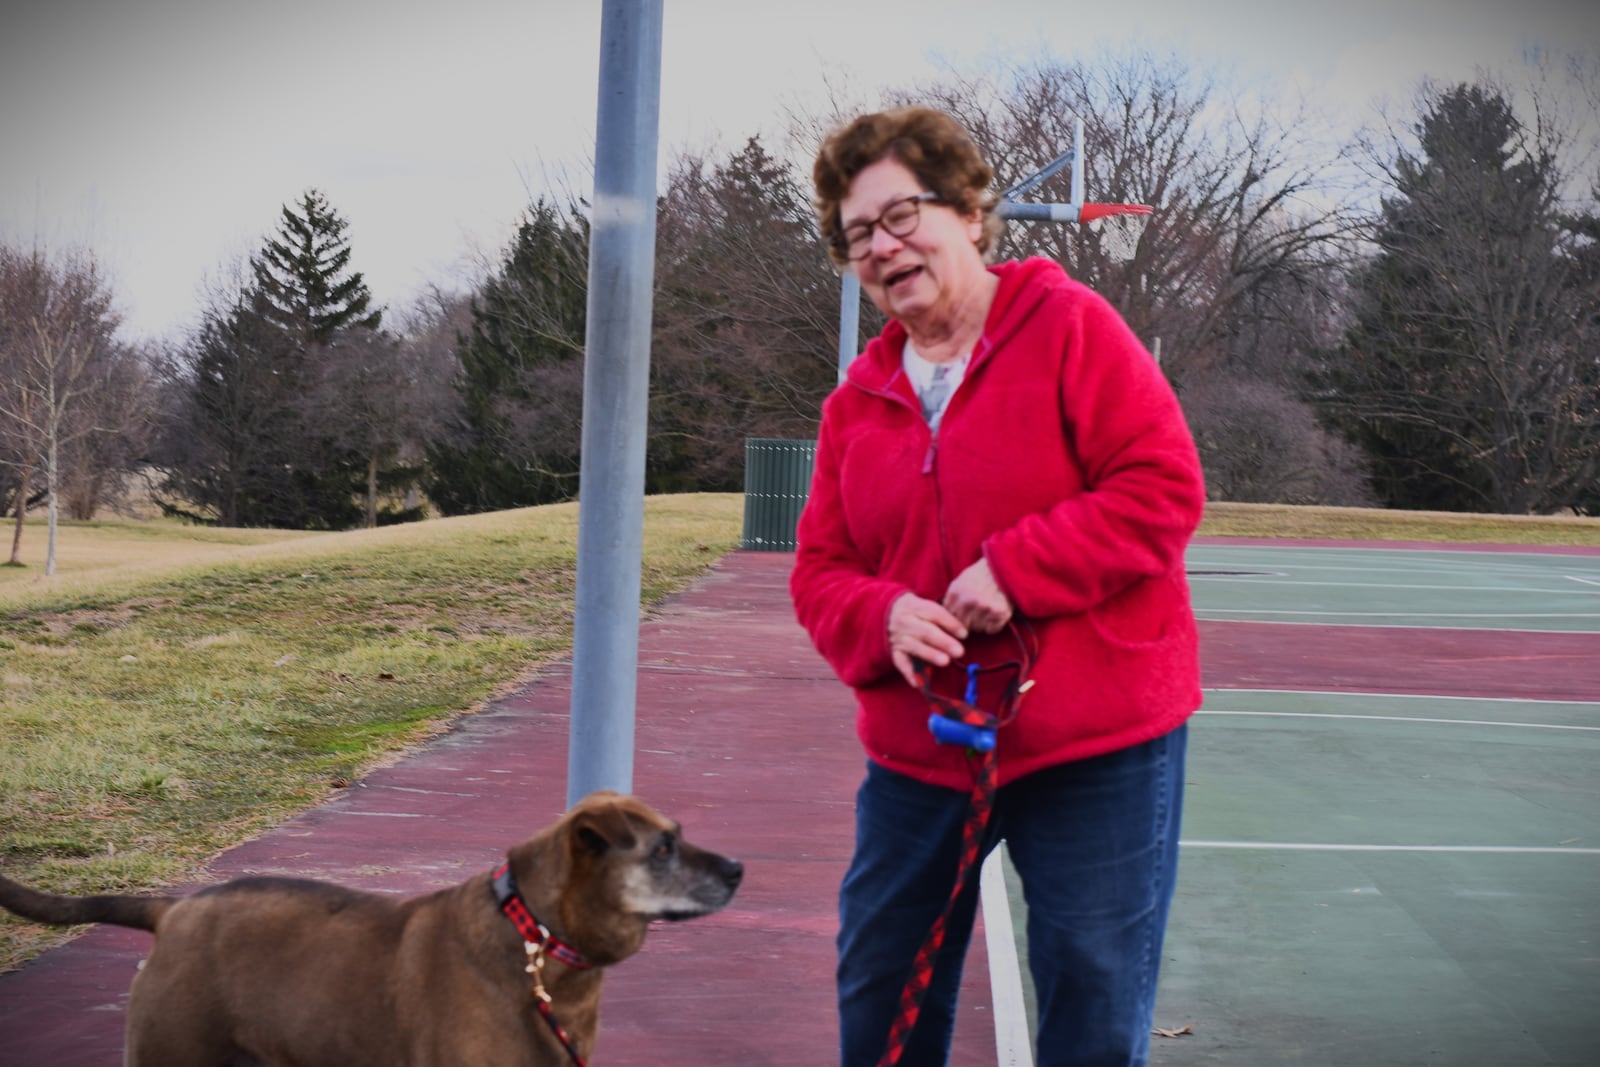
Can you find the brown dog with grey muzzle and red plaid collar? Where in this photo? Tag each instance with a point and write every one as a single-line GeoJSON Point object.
{"type": "Point", "coordinates": [503, 969]}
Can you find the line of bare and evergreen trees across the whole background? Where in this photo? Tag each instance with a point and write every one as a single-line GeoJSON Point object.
{"type": "Point", "coordinates": [1436, 348]}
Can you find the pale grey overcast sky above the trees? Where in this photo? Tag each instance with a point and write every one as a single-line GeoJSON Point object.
{"type": "Point", "coordinates": [166, 135]}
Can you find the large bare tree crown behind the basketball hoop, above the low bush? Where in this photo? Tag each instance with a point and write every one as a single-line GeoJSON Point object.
{"type": "Point", "coordinates": [1244, 196]}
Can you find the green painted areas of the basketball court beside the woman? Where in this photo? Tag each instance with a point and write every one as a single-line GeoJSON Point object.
{"type": "Point", "coordinates": [1372, 879]}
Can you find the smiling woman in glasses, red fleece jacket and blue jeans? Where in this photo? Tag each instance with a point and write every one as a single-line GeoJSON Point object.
{"type": "Point", "coordinates": [1006, 463]}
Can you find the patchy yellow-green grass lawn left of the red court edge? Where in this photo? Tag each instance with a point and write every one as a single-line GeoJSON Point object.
{"type": "Point", "coordinates": [174, 692]}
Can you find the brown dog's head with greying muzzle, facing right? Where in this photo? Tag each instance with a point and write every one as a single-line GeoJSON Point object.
{"type": "Point", "coordinates": [623, 866]}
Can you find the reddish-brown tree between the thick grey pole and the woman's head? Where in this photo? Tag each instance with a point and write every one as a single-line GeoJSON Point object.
{"type": "Point", "coordinates": [746, 318]}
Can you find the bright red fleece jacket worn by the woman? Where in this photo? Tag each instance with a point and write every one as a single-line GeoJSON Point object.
{"type": "Point", "coordinates": [1063, 460]}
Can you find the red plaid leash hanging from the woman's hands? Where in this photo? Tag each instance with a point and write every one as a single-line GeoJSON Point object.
{"type": "Point", "coordinates": [986, 767]}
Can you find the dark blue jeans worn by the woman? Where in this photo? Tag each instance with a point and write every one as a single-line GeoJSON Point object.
{"type": "Point", "coordinates": [1097, 847]}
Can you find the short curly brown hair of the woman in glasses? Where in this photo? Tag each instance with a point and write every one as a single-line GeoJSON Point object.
{"type": "Point", "coordinates": [929, 143]}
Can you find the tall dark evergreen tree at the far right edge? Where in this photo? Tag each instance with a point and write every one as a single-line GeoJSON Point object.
{"type": "Point", "coordinates": [1463, 375]}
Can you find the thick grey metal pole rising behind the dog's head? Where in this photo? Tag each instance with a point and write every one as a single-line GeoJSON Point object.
{"type": "Point", "coordinates": [617, 401]}
